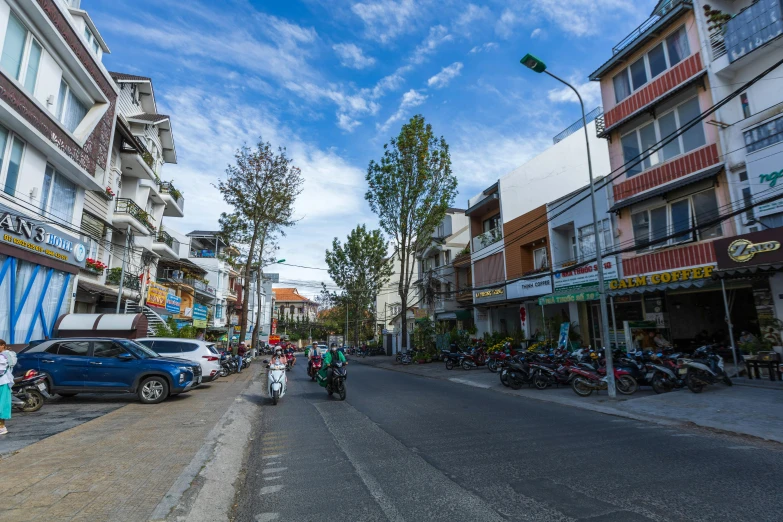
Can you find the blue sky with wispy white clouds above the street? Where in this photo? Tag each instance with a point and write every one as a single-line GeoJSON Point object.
{"type": "Point", "coordinates": [332, 80]}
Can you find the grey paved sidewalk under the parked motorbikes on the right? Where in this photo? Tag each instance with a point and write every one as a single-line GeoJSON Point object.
{"type": "Point", "coordinates": [744, 410]}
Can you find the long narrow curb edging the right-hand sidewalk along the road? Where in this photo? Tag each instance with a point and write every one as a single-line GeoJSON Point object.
{"type": "Point", "coordinates": [607, 410]}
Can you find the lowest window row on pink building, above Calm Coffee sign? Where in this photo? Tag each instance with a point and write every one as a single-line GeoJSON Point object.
{"type": "Point", "coordinates": [676, 219]}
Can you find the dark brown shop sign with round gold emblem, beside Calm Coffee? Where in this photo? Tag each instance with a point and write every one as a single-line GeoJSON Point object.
{"type": "Point", "coordinates": [757, 248]}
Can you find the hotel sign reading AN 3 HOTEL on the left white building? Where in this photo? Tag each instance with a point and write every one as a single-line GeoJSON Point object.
{"type": "Point", "coordinates": [28, 234]}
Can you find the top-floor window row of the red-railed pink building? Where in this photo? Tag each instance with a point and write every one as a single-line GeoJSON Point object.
{"type": "Point", "coordinates": [655, 62]}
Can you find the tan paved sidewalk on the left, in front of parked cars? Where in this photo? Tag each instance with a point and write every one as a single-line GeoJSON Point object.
{"type": "Point", "coordinates": [118, 466]}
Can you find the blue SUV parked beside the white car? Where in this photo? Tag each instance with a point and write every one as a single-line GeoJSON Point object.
{"type": "Point", "coordinates": [107, 365]}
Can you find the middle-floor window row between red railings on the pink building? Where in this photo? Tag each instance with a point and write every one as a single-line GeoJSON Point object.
{"type": "Point", "coordinates": [645, 137]}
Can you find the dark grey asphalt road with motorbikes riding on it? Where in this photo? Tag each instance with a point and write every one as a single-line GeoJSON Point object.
{"type": "Point", "coordinates": [404, 447]}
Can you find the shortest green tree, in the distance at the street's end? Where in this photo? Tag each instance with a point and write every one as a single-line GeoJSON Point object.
{"type": "Point", "coordinates": [360, 267]}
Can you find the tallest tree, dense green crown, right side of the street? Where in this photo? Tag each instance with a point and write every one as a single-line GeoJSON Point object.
{"type": "Point", "coordinates": [410, 190]}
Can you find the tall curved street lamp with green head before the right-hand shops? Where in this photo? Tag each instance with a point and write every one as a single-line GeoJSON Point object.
{"type": "Point", "coordinates": [538, 66]}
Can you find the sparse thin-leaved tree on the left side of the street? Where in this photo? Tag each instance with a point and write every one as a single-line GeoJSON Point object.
{"type": "Point", "coordinates": [261, 187]}
